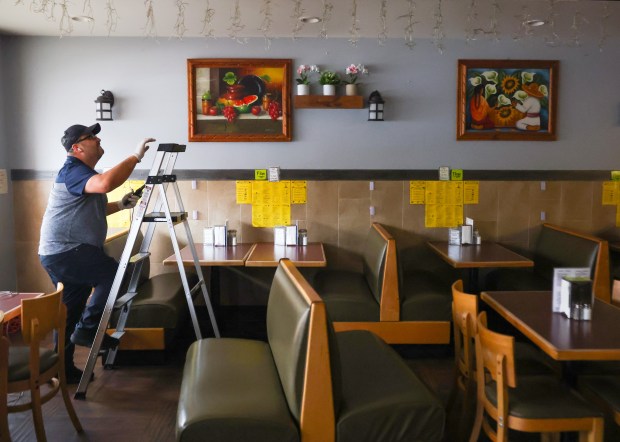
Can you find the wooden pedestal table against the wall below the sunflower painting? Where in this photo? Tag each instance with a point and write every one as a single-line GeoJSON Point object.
{"type": "Point", "coordinates": [474, 257]}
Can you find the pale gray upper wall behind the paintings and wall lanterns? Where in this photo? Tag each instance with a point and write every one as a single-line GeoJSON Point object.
{"type": "Point", "coordinates": [50, 83]}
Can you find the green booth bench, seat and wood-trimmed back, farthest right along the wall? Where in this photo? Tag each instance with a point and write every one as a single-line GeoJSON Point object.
{"type": "Point", "coordinates": [558, 247]}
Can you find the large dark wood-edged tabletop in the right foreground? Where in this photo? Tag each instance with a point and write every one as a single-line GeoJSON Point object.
{"type": "Point", "coordinates": [561, 338]}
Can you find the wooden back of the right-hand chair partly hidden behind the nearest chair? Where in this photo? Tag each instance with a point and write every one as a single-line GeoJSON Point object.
{"type": "Point", "coordinates": [464, 316]}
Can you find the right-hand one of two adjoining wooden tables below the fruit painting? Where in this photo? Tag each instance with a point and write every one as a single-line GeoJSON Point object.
{"type": "Point", "coordinates": [269, 255]}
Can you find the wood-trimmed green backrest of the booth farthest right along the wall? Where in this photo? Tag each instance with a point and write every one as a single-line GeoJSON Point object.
{"type": "Point", "coordinates": [560, 247]}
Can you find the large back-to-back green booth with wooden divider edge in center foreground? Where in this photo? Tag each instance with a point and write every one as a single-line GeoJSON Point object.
{"type": "Point", "coordinates": [306, 383]}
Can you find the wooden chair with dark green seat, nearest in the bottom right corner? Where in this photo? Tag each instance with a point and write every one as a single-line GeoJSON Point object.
{"type": "Point", "coordinates": [539, 404]}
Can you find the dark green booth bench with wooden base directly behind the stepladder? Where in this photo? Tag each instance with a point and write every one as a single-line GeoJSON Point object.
{"type": "Point", "coordinates": [159, 310]}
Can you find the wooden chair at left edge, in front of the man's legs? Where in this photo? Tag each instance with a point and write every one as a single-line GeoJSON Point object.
{"type": "Point", "coordinates": [27, 368]}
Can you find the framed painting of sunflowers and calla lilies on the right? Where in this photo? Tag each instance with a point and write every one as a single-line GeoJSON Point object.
{"type": "Point", "coordinates": [507, 100]}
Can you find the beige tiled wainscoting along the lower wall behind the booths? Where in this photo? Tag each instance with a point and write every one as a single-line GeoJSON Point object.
{"type": "Point", "coordinates": [337, 214]}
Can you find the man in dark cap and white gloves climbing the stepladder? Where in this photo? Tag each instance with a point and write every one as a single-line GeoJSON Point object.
{"type": "Point", "coordinates": [73, 231]}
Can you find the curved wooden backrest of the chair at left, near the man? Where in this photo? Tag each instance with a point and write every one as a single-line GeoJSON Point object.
{"type": "Point", "coordinates": [42, 315]}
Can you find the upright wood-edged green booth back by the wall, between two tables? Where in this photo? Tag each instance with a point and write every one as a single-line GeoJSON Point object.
{"type": "Point", "coordinates": [380, 269]}
